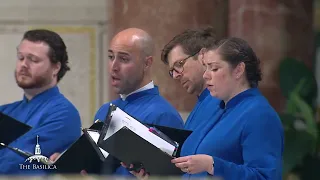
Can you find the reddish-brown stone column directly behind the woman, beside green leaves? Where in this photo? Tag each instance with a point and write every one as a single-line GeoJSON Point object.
{"type": "Point", "coordinates": [275, 29]}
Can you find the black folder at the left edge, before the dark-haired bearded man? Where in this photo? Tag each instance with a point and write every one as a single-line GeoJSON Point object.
{"type": "Point", "coordinates": [11, 129]}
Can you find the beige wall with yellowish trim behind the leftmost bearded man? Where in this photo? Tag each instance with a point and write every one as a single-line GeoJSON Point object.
{"type": "Point", "coordinates": [82, 24]}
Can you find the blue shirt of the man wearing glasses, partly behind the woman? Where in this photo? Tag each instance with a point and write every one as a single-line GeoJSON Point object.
{"type": "Point", "coordinates": [205, 108]}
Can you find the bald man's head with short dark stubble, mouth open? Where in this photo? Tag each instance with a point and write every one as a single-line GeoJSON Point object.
{"type": "Point", "coordinates": [130, 60]}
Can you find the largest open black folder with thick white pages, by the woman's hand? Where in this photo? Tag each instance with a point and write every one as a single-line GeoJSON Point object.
{"type": "Point", "coordinates": [128, 147]}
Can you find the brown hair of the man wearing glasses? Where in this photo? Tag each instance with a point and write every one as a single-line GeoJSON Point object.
{"type": "Point", "coordinates": [191, 41]}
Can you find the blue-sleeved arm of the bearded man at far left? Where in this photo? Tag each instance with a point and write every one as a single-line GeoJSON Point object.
{"type": "Point", "coordinates": [57, 130]}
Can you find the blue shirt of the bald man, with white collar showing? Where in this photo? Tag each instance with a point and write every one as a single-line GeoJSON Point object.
{"type": "Point", "coordinates": [148, 107]}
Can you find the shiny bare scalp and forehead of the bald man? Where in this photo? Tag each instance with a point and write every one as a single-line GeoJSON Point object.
{"type": "Point", "coordinates": [135, 38]}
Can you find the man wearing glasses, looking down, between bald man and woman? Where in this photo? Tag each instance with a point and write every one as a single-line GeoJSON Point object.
{"type": "Point", "coordinates": [182, 54]}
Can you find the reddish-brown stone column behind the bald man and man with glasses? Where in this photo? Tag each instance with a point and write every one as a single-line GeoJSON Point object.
{"type": "Point", "coordinates": [163, 19]}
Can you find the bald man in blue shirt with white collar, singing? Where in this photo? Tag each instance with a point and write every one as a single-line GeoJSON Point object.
{"type": "Point", "coordinates": [130, 59]}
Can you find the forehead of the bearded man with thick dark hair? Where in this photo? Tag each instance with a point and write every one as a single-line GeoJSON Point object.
{"type": "Point", "coordinates": [36, 48]}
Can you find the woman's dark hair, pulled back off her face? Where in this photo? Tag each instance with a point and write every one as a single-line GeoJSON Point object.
{"type": "Point", "coordinates": [234, 51]}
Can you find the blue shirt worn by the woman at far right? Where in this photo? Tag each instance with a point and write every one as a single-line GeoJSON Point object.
{"type": "Point", "coordinates": [245, 139]}
